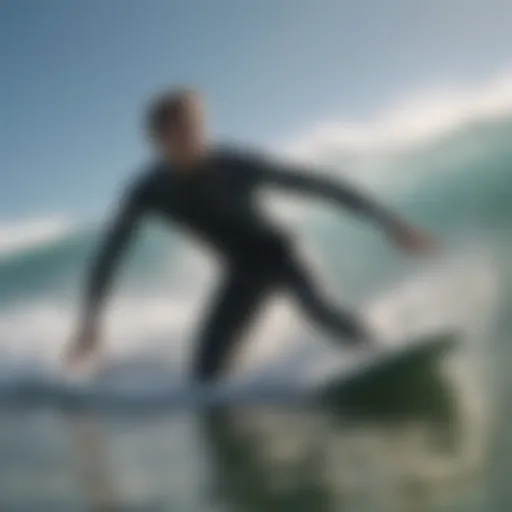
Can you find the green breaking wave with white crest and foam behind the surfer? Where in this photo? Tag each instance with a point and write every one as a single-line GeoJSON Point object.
{"type": "Point", "coordinates": [445, 163]}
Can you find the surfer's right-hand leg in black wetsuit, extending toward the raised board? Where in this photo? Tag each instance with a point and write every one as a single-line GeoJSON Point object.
{"type": "Point", "coordinates": [337, 321]}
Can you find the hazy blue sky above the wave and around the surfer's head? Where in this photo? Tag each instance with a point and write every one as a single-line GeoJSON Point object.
{"type": "Point", "coordinates": [75, 76]}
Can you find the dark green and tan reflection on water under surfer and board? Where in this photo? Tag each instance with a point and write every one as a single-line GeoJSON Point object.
{"type": "Point", "coordinates": [402, 454]}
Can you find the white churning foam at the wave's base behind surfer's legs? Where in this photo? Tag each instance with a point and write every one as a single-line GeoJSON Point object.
{"type": "Point", "coordinates": [460, 293]}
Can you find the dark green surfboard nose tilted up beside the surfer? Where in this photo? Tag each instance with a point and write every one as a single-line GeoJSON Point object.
{"type": "Point", "coordinates": [390, 375]}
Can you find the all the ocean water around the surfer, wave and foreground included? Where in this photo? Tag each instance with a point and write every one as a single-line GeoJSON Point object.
{"type": "Point", "coordinates": [141, 437]}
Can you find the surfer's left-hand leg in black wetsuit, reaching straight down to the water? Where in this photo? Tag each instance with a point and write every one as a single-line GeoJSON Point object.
{"type": "Point", "coordinates": [233, 308]}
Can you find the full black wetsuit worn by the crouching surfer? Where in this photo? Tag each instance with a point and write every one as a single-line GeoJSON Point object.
{"type": "Point", "coordinates": [216, 201]}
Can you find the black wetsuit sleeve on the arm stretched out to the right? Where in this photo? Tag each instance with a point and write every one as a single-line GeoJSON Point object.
{"type": "Point", "coordinates": [336, 190]}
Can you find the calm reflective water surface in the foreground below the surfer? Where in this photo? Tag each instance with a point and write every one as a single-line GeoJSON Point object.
{"type": "Point", "coordinates": [405, 447]}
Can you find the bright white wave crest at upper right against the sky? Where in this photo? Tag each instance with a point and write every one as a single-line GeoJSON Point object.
{"type": "Point", "coordinates": [409, 122]}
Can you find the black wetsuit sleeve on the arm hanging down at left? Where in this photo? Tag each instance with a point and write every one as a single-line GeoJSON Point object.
{"type": "Point", "coordinates": [113, 246]}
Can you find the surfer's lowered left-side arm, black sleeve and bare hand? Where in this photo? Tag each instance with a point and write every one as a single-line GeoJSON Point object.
{"type": "Point", "coordinates": [102, 273]}
